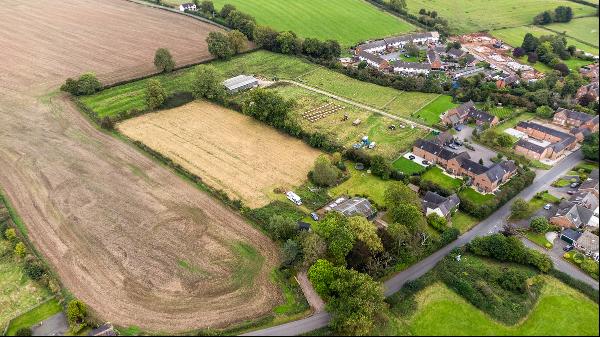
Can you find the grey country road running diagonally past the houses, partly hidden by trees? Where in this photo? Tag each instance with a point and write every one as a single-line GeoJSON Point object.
{"type": "Point", "coordinates": [492, 224]}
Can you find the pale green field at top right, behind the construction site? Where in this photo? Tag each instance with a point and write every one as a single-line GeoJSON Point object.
{"type": "Point", "coordinates": [465, 16]}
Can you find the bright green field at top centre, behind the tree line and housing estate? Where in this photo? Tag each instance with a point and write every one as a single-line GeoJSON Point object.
{"type": "Point", "coordinates": [347, 21]}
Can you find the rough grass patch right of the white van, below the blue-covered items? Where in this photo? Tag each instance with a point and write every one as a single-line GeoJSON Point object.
{"type": "Point", "coordinates": [362, 183]}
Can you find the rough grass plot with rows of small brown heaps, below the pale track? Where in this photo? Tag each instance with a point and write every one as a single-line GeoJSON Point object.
{"type": "Point", "coordinates": [390, 143]}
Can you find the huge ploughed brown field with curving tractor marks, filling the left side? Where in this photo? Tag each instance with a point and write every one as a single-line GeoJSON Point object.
{"type": "Point", "coordinates": [135, 242]}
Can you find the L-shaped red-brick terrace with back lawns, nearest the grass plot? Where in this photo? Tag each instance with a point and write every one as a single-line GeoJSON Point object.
{"type": "Point", "coordinates": [485, 179]}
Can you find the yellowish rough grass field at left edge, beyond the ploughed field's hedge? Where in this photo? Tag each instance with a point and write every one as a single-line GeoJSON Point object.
{"type": "Point", "coordinates": [17, 291]}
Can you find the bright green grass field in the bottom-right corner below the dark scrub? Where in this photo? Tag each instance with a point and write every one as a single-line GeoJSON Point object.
{"type": "Point", "coordinates": [560, 310]}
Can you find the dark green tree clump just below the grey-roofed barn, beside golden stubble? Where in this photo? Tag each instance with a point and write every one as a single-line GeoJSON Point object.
{"type": "Point", "coordinates": [267, 106]}
